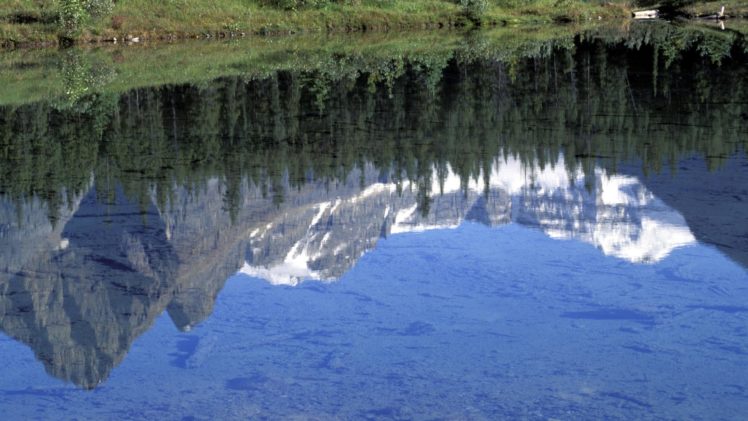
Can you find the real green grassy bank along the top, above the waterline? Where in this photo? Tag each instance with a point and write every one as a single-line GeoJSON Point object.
{"type": "Point", "coordinates": [28, 22]}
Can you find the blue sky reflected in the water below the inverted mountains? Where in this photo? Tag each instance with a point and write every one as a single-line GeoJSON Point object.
{"type": "Point", "coordinates": [475, 322]}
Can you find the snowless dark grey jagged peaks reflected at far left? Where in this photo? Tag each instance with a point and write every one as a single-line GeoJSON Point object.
{"type": "Point", "coordinates": [83, 294]}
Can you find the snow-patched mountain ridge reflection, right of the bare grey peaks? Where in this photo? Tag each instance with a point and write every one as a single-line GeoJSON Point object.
{"type": "Point", "coordinates": [615, 213]}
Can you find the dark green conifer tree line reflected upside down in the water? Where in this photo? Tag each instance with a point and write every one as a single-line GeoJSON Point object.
{"type": "Point", "coordinates": [602, 101]}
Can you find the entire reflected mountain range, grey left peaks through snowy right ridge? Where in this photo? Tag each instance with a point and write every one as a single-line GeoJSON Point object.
{"type": "Point", "coordinates": [100, 278]}
